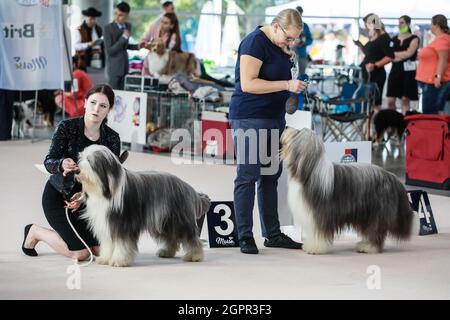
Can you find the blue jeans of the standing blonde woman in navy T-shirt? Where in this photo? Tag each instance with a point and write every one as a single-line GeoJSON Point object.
{"type": "Point", "coordinates": [250, 172]}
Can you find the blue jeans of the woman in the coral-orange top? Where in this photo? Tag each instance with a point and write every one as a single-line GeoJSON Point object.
{"type": "Point", "coordinates": [434, 99]}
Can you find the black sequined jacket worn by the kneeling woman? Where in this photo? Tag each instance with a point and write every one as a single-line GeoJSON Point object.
{"type": "Point", "coordinates": [68, 142]}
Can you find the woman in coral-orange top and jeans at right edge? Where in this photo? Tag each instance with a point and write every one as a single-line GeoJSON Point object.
{"type": "Point", "coordinates": [433, 70]}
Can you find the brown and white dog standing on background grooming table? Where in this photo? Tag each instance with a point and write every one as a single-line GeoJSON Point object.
{"type": "Point", "coordinates": [162, 61]}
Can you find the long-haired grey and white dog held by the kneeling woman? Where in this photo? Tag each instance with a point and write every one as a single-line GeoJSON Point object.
{"type": "Point", "coordinates": [121, 204]}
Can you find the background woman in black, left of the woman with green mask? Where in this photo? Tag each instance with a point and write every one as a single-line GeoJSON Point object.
{"type": "Point", "coordinates": [377, 53]}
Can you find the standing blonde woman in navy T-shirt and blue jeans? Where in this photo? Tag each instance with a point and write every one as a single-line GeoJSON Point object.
{"type": "Point", "coordinates": [257, 108]}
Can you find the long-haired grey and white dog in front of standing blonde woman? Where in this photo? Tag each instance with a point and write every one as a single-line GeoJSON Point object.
{"type": "Point", "coordinates": [327, 198]}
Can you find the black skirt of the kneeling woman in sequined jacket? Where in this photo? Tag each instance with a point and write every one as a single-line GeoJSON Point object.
{"type": "Point", "coordinates": [53, 205]}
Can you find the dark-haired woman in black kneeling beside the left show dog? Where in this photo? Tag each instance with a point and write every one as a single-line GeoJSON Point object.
{"type": "Point", "coordinates": [61, 190]}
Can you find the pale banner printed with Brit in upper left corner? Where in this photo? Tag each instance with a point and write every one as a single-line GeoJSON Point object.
{"type": "Point", "coordinates": [31, 44]}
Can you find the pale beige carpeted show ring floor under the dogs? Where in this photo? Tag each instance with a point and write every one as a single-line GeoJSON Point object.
{"type": "Point", "coordinates": [418, 269]}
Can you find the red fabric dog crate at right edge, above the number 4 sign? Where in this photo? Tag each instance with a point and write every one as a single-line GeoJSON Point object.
{"type": "Point", "coordinates": [428, 151]}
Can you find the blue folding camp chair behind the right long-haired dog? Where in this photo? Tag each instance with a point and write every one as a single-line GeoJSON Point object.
{"type": "Point", "coordinates": [346, 117]}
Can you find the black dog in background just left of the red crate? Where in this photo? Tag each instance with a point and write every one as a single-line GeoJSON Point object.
{"type": "Point", "coordinates": [391, 122]}
